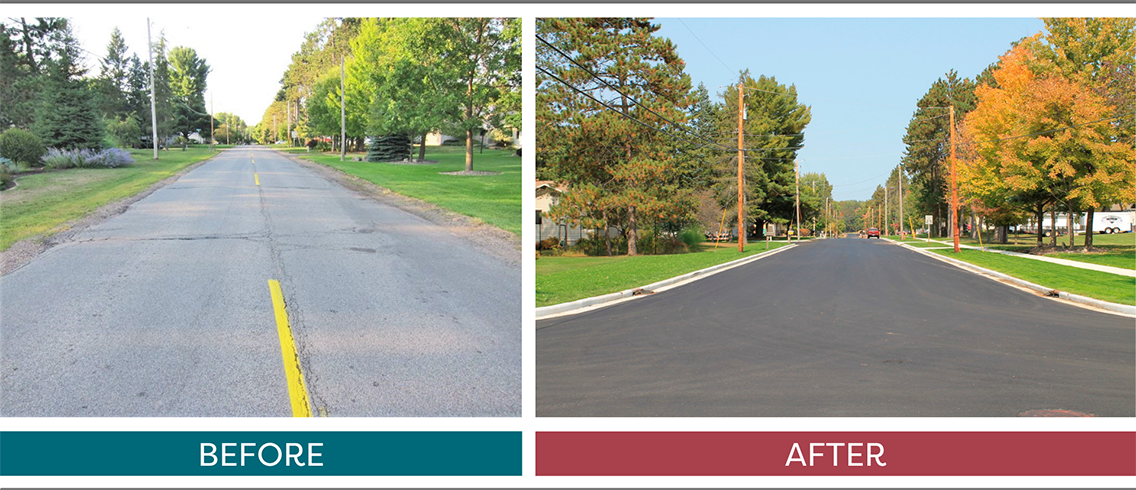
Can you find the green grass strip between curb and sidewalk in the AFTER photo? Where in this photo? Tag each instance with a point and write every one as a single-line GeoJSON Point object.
{"type": "Point", "coordinates": [1095, 285]}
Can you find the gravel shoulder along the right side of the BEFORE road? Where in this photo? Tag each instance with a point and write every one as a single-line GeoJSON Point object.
{"type": "Point", "coordinates": [496, 242]}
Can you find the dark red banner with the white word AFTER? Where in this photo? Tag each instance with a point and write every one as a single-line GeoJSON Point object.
{"type": "Point", "coordinates": [901, 454]}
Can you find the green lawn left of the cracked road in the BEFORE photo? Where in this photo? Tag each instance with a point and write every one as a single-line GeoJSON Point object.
{"type": "Point", "coordinates": [43, 204]}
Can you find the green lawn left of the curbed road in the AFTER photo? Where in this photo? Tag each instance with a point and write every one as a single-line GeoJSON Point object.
{"type": "Point", "coordinates": [569, 279]}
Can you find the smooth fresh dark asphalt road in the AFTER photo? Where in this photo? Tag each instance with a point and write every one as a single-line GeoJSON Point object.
{"type": "Point", "coordinates": [838, 328]}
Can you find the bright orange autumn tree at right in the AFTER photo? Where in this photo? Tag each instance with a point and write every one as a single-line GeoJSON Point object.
{"type": "Point", "coordinates": [1039, 138]}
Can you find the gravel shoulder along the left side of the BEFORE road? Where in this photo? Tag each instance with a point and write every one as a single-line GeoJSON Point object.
{"type": "Point", "coordinates": [26, 251]}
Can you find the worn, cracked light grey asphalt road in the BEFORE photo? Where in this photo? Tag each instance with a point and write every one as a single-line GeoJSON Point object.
{"type": "Point", "coordinates": [165, 310]}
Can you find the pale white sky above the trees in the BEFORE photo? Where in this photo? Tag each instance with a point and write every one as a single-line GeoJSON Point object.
{"type": "Point", "coordinates": [248, 57]}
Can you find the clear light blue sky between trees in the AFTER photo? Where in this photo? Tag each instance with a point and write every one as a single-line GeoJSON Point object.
{"type": "Point", "coordinates": [862, 77]}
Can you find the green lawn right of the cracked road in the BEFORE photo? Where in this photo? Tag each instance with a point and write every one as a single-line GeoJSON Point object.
{"type": "Point", "coordinates": [495, 200]}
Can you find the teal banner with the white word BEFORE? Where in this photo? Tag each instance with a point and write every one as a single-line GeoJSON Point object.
{"type": "Point", "coordinates": [427, 454]}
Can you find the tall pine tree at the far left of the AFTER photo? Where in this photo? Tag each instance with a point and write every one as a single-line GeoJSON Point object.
{"type": "Point", "coordinates": [631, 170]}
